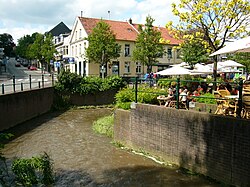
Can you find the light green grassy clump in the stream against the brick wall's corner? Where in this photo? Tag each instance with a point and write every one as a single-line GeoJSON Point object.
{"type": "Point", "coordinates": [105, 125]}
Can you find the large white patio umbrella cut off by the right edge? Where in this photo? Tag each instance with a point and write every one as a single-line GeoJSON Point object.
{"type": "Point", "coordinates": [241, 45]}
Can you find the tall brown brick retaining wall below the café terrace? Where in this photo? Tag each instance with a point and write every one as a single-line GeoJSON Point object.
{"type": "Point", "coordinates": [216, 146]}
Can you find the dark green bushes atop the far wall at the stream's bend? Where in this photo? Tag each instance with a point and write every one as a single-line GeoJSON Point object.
{"type": "Point", "coordinates": [72, 83]}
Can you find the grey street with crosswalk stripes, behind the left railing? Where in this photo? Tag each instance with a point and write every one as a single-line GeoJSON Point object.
{"type": "Point", "coordinates": [21, 78]}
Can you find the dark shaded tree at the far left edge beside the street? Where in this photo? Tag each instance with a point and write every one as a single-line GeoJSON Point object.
{"type": "Point", "coordinates": [6, 42]}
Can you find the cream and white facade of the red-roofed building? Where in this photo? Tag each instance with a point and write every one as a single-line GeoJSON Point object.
{"type": "Point", "coordinates": [123, 66]}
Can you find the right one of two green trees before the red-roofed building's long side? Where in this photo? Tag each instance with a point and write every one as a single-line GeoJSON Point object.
{"type": "Point", "coordinates": [147, 46]}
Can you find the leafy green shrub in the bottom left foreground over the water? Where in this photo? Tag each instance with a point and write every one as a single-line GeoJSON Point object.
{"type": "Point", "coordinates": [35, 170]}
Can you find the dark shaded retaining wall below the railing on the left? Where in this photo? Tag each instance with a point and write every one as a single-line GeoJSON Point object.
{"type": "Point", "coordinates": [22, 106]}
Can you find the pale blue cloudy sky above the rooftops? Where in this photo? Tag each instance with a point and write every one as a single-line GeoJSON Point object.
{"type": "Point", "coordinates": [24, 17]}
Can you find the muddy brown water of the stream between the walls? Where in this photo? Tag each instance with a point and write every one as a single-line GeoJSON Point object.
{"type": "Point", "coordinates": [83, 158]}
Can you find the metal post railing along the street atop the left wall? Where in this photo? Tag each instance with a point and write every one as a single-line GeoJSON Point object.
{"type": "Point", "coordinates": [19, 84]}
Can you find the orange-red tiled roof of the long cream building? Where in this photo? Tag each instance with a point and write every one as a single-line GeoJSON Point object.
{"type": "Point", "coordinates": [124, 30]}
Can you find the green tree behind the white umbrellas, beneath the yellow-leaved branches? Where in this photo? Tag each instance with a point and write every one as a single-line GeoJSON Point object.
{"type": "Point", "coordinates": [193, 52]}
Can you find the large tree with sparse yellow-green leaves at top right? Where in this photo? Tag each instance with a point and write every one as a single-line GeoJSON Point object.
{"type": "Point", "coordinates": [216, 20]}
